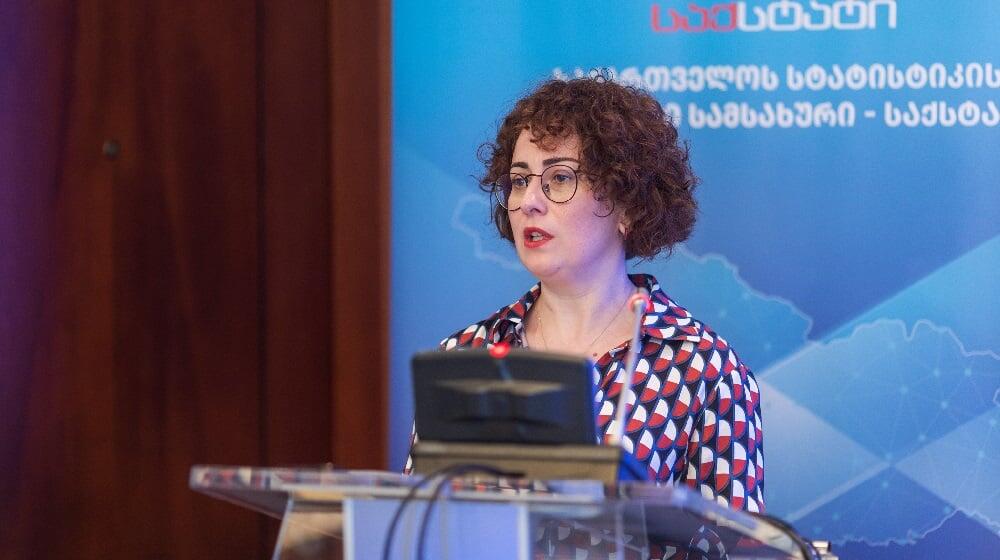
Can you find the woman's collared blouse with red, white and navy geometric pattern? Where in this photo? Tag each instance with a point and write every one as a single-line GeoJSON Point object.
{"type": "Point", "coordinates": [694, 409]}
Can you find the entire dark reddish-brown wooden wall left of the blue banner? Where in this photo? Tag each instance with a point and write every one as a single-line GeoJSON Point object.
{"type": "Point", "coordinates": [193, 263]}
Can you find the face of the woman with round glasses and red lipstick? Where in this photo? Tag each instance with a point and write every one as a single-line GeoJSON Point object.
{"type": "Point", "coordinates": [561, 242]}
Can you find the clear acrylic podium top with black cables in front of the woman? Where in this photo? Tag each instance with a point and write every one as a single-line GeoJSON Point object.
{"type": "Point", "coordinates": [329, 514]}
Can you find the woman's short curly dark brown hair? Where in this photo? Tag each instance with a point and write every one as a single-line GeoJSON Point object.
{"type": "Point", "coordinates": [628, 145]}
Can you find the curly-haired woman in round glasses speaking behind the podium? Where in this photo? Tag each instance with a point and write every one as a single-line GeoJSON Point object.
{"type": "Point", "coordinates": [588, 173]}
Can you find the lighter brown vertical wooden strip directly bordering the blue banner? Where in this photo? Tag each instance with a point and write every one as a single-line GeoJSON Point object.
{"type": "Point", "coordinates": [360, 74]}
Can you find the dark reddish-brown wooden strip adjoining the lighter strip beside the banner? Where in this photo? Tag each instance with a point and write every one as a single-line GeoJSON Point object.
{"type": "Point", "coordinates": [296, 231]}
